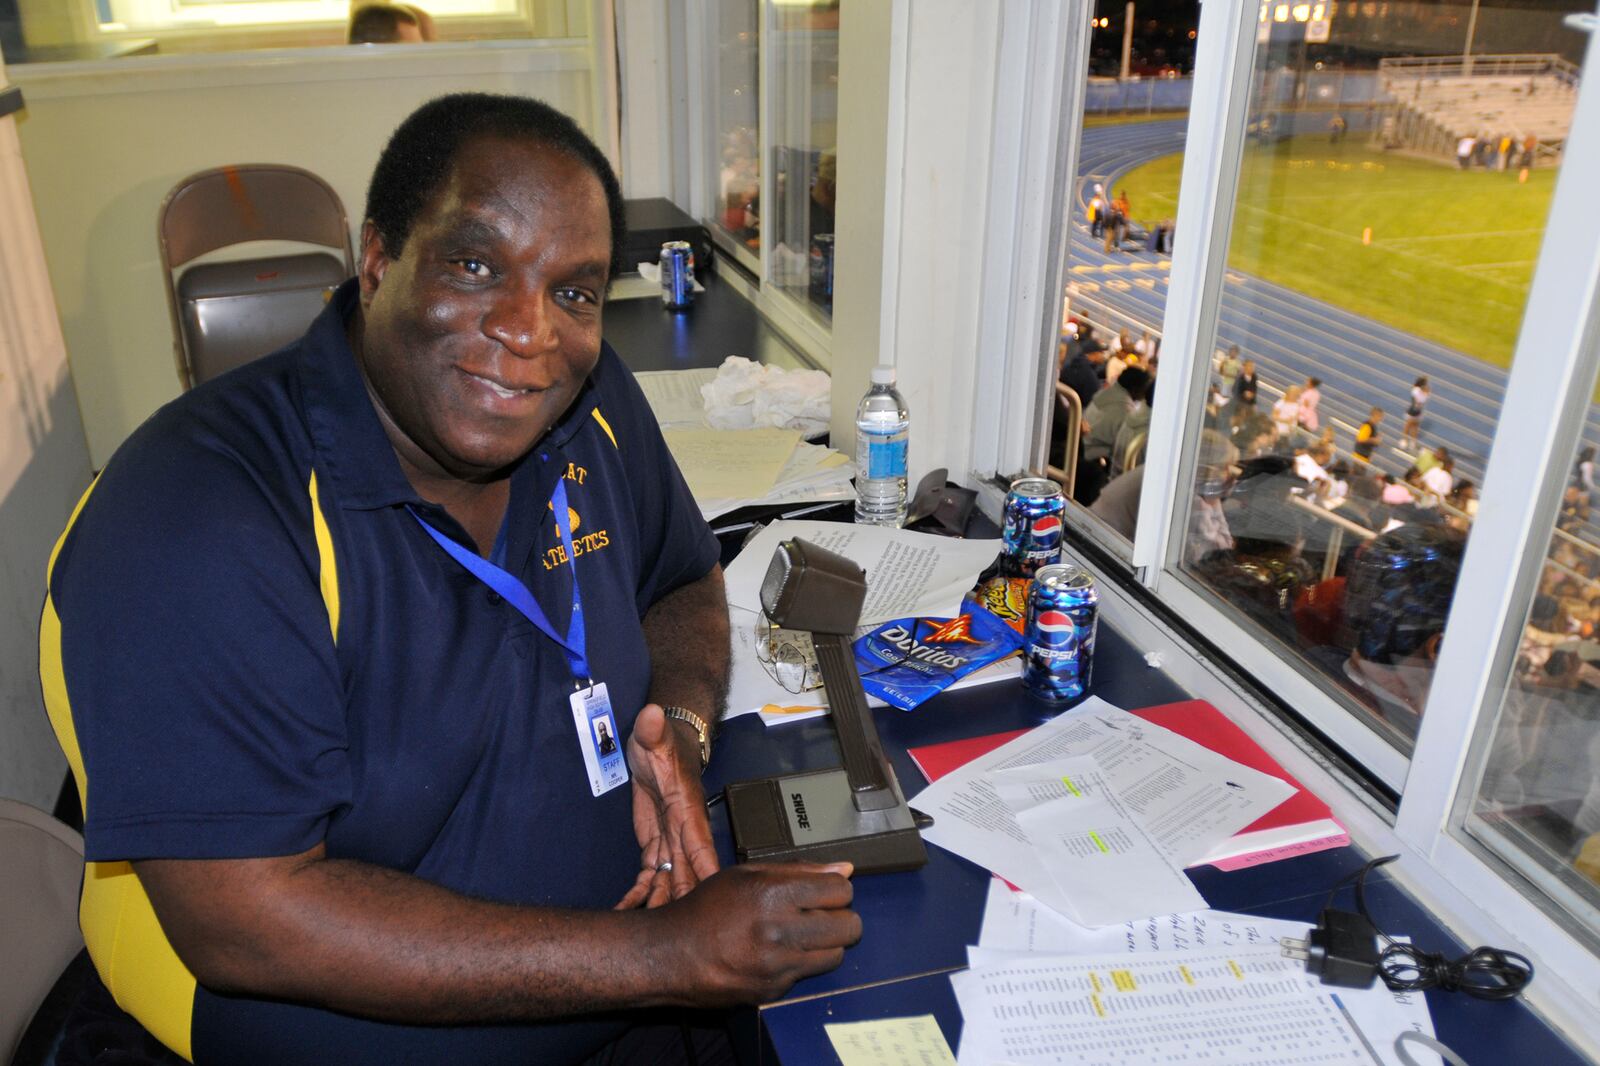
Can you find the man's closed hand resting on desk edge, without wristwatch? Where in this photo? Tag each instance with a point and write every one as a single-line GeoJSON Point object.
{"type": "Point", "coordinates": [750, 932]}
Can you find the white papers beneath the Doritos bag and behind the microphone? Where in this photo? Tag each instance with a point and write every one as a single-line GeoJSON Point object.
{"type": "Point", "coordinates": [908, 575]}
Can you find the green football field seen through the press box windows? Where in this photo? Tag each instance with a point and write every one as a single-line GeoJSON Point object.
{"type": "Point", "coordinates": [1450, 255]}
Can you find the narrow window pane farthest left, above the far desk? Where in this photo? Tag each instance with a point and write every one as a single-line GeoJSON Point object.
{"type": "Point", "coordinates": [735, 122]}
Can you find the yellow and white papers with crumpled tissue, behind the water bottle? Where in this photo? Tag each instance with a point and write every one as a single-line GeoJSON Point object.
{"type": "Point", "coordinates": [748, 446]}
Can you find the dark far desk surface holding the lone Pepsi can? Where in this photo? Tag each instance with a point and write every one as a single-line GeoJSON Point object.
{"type": "Point", "coordinates": [721, 324]}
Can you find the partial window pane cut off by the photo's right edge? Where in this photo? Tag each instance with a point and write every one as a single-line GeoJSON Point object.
{"type": "Point", "coordinates": [1535, 799]}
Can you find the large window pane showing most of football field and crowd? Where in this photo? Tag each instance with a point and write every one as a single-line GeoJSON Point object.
{"type": "Point", "coordinates": [1388, 218]}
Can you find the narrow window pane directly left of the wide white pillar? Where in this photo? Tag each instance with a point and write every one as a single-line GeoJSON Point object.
{"type": "Point", "coordinates": [804, 81]}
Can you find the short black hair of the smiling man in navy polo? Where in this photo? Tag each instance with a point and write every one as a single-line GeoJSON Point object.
{"type": "Point", "coordinates": [423, 150]}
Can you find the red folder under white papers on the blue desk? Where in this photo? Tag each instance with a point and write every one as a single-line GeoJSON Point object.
{"type": "Point", "coordinates": [1297, 827]}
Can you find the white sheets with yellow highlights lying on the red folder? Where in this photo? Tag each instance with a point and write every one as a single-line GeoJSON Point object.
{"type": "Point", "coordinates": [1097, 812]}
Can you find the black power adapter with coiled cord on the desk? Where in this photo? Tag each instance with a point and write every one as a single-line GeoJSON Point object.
{"type": "Point", "coordinates": [1345, 950]}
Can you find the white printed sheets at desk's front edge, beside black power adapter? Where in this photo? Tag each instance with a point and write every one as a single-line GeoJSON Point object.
{"type": "Point", "coordinates": [1356, 1025]}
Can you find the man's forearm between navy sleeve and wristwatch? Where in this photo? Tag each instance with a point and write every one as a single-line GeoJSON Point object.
{"type": "Point", "coordinates": [687, 633]}
